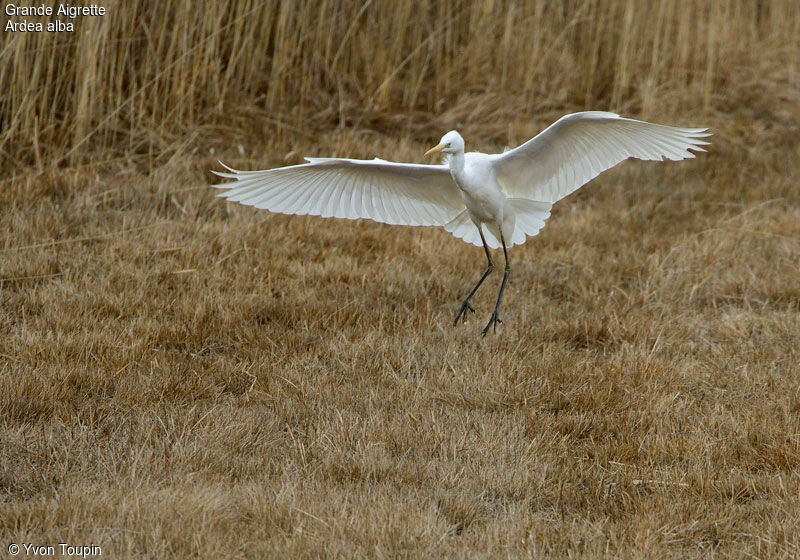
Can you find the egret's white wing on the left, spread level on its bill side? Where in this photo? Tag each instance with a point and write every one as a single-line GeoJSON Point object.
{"type": "Point", "coordinates": [392, 193]}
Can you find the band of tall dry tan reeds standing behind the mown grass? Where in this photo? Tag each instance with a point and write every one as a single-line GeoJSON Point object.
{"type": "Point", "coordinates": [143, 80]}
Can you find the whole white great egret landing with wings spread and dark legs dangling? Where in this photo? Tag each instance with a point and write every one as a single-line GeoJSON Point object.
{"type": "Point", "coordinates": [494, 200]}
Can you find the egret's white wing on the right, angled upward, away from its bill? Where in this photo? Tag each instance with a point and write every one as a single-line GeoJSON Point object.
{"type": "Point", "coordinates": [578, 147]}
